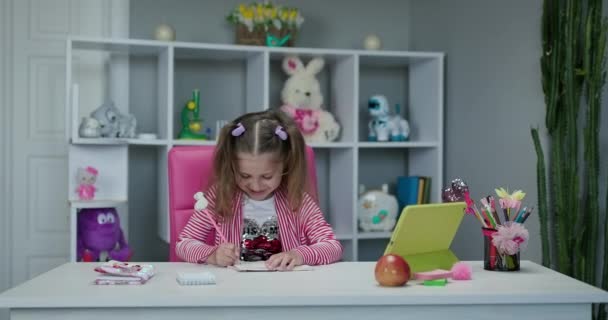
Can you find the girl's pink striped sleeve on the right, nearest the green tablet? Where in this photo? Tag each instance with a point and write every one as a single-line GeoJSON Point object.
{"type": "Point", "coordinates": [321, 246]}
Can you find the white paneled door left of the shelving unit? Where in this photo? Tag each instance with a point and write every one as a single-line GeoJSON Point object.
{"type": "Point", "coordinates": [38, 212]}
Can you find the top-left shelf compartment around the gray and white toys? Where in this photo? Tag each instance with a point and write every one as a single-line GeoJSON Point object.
{"type": "Point", "coordinates": [103, 72]}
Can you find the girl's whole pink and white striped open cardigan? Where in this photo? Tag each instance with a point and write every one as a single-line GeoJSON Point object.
{"type": "Point", "coordinates": [307, 232]}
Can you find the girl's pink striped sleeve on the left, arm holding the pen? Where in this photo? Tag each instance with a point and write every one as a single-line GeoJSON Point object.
{"type": "Point", "coordinates": [191, 246]}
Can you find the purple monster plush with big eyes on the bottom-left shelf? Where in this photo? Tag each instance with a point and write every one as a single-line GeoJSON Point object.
{"type": "Point", "coordinates": [99, 231]}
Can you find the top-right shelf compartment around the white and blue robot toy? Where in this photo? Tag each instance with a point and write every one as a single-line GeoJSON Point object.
{"type": "Point", "coordinates": [414, 81]}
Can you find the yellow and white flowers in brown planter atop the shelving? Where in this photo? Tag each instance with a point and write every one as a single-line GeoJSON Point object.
{"type": "Point", "coordinates": [265, 24]}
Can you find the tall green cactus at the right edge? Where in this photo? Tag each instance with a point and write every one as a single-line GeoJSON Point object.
{"type": "Point", "coordinates": [573, 74]}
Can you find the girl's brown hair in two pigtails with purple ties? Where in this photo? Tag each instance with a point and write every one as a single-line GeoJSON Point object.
{"type": "Point", "coordinates": [259, 136]}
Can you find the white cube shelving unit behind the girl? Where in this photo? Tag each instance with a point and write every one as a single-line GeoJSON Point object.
{"type": "Point", "coordinates": [235, 79]}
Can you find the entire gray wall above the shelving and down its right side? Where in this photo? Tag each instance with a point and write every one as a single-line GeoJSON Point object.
{"type": "Point", "coordinates": [493, 93]}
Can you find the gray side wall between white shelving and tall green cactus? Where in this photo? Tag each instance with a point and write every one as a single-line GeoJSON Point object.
{"type": "Point", "coordinates": [493, 96]}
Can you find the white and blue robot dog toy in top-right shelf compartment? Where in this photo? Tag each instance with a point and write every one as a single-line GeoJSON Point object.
{"type": "Point", "coordinates": [383, 126]}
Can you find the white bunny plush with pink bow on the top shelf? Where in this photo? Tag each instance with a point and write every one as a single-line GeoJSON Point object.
{"type": "Point", "coordinates": [302, 100]}
